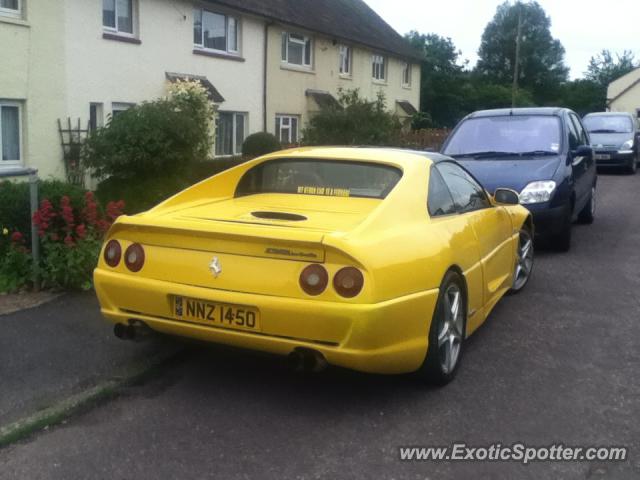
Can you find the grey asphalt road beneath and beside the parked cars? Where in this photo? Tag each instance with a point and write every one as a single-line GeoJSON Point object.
{"type": "Point", "coordinates": [558, 363]}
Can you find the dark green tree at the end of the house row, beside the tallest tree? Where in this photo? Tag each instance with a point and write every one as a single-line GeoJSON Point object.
{"type": "Point", "coordinates": [443, 79]}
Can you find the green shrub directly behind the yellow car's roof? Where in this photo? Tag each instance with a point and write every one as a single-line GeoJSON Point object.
{"type": "Point", "coordinates": [354, 121]}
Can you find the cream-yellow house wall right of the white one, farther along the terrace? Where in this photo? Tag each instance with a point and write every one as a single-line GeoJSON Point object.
{"type": "Point", "coordinates": [287, 85]}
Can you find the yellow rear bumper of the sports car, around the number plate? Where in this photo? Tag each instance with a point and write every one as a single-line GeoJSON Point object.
{"type": "Point", "coordinates": [388, 337]}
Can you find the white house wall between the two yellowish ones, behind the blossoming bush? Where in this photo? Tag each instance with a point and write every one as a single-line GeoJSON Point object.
{"type": "Point", "coordinates": [107, 71]}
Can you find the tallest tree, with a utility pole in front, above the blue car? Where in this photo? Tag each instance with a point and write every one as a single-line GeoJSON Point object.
{"type": "Point", "coordinates": [541, 68]}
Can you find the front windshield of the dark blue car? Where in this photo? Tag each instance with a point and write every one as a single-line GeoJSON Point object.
{"type": "Point", "coordinates": [509, 133]}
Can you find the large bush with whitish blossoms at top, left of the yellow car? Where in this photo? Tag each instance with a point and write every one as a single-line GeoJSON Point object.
{"type": "Point", "coordinates": [160, 138]}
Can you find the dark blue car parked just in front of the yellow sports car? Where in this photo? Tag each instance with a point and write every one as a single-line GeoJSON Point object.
{"type": "Point", "coordinates": [543, 154]}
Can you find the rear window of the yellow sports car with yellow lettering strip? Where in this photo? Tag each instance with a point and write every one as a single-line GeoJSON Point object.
{"type": "Point", "coordinates": [328, 178]}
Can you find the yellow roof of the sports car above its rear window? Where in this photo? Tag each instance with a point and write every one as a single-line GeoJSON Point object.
{"type": "Point", "coordinates": [385, 155]}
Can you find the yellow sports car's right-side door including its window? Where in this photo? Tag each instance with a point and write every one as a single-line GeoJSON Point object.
{"type": "Point", "coordinates": [492, 227]}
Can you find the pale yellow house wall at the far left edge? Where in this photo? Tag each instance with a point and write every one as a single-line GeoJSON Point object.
{"type": "Point", "coordinates": [32, 72]}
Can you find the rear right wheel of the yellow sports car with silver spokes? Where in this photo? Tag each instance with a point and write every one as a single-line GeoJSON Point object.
{"type": "Point", "coordinates": [447, 332]}
